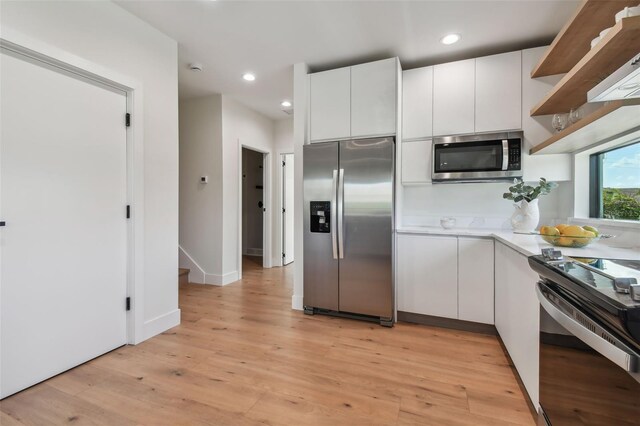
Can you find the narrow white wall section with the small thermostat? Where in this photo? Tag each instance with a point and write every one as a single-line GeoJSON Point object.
{"type": "Point", "coordinates": [200, 206]}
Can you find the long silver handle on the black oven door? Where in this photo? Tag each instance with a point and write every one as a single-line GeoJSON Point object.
{"type": "Point", "coordinates": [624, 357]}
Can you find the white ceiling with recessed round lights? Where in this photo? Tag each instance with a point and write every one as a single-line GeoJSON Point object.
{"type": "Point", "coordinates": [268, 37]}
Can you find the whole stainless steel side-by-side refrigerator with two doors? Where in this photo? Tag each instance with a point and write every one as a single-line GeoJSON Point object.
{"type": "Point", "coordinates": [348, 213]}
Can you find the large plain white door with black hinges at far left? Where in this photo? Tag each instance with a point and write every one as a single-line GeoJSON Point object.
{"type": "Point", "coordinates": [63, 197]}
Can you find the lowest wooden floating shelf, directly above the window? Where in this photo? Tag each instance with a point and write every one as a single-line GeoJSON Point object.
{"type": "Point", "coordinates": [613, 119]}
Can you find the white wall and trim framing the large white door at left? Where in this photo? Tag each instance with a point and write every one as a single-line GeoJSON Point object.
{"type": "Point", "coordinates": [105, 34]}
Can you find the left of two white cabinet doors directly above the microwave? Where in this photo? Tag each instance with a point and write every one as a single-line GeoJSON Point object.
{"type": "Point", "coordinates": [453, 98]}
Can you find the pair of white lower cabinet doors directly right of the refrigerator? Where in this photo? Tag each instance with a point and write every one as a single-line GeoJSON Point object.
{"type": "Point", "coordinates": [446, 276]}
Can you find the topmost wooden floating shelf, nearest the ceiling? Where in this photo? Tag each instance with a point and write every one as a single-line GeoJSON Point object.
{"type": "Point", "coordinates": [573, 41]}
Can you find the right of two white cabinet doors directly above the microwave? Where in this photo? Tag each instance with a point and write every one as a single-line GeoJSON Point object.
{"type": "Point", "coordinates": [499, 92]}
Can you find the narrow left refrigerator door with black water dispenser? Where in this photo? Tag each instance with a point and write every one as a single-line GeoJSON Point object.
{"type": "Point", "coordinates": [320, 186]}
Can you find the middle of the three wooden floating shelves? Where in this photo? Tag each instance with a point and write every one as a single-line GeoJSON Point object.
{"type": "Point", "coordinates": [620, 45]}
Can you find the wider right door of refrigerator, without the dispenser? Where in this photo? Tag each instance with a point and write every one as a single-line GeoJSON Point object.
{"type": "Point", "coordinates": [366, 279]}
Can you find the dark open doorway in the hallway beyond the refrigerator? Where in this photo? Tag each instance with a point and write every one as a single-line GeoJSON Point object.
{"type": "Point", "coordinates": [253, 206]}
